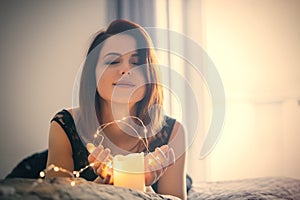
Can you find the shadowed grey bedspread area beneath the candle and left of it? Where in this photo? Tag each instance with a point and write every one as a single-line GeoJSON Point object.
{"type": "Point", "coordinates": [61, 189]}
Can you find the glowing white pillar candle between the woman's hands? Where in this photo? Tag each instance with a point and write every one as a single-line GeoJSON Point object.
{"type": "Point", "coordinates": [129, 171]}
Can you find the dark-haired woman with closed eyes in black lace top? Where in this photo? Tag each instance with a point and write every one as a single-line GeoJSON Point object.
{"type": "Point", "coordinates": [120, 79]}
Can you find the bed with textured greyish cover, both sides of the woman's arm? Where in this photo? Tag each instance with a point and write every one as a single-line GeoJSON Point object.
{"type": "Point", "coordinates": [60, 188]}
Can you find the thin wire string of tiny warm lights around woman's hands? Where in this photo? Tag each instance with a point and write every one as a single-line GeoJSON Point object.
{"type": "Point", "coordinates": [109, 164]}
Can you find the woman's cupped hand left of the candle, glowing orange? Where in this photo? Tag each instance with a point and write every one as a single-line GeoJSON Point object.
{"type": "Point", "coordinates": [102, 162]}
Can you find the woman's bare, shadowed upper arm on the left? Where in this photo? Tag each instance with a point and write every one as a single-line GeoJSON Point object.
{"type": "Point", "coordinates": [59, 151]}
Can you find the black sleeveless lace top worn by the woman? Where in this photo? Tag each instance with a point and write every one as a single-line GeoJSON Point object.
{"type": "Point", "coordinates": [80, 153]}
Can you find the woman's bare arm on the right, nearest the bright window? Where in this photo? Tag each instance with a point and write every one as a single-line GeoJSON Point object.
{"type": "Point", "coordinates": [173, 181]}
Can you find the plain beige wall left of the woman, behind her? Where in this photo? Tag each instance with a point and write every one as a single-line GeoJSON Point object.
{"type": "Point", "coordinates": [42, 45]}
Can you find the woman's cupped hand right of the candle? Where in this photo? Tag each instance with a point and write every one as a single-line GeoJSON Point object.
{"type": "Point", "coordinates": [156, 163]}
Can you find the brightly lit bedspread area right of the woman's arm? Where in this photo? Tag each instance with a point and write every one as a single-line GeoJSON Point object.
{"type": "Point", "coordinates": [266, 188]}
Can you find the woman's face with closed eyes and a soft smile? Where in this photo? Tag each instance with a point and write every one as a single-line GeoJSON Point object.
{"type": "Point", "coordinates": [119, 77]}
